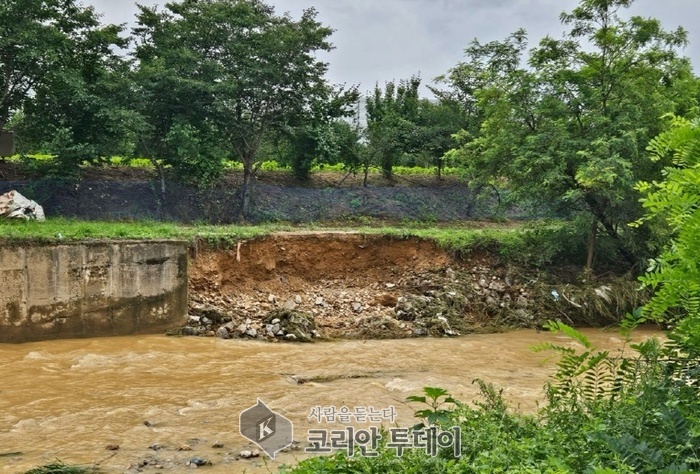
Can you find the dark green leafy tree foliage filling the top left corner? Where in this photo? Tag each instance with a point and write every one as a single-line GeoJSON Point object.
{"type": "Point", "coordinates": [69, 91]}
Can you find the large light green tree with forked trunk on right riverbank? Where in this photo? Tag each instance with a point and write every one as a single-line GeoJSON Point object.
{"type": "Point", "coordinates": [571, 128]}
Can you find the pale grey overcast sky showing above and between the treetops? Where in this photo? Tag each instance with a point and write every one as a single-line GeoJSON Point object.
{"type": "Point", "coordinates": [382, 40]}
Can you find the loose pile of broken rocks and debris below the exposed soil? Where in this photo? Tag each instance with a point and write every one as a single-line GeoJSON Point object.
{"type": "Point", "coordinates": [434, 303]}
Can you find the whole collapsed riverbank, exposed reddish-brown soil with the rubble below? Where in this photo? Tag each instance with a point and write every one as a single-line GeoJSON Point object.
{"type": "Point", "coordinates": [305, 286]}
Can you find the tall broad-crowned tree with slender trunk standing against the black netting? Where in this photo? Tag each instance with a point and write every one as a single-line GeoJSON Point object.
{"type": "Point", "coordinates": [248, 67]}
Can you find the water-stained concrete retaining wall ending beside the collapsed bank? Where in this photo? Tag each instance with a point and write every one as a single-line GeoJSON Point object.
{"type": "Point", "coordinates": [91, 289]}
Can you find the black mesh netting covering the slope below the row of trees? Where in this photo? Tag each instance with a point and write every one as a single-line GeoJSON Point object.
{"type": "Point", "coordinates": [115, 200]}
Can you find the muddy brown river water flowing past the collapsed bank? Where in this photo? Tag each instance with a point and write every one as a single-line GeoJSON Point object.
{"type": "Point", "coordinates": [69, 399]}
